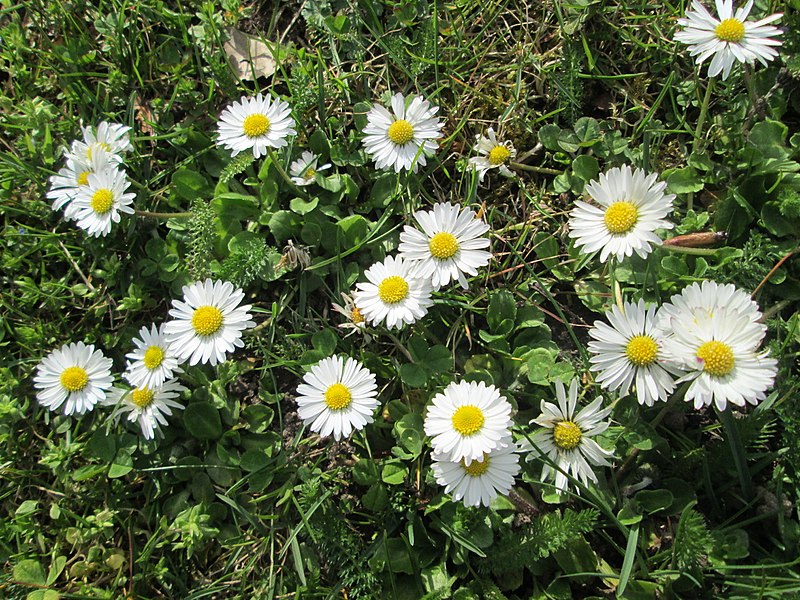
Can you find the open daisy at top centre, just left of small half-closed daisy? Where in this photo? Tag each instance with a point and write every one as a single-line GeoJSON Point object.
{"type": "Point", "coordinates": [404, 139]}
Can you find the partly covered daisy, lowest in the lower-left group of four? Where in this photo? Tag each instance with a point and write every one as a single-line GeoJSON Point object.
{"type": "Point", "coordinates": [148, 405]}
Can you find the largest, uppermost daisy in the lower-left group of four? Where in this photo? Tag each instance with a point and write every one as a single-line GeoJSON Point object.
{"type": "Point", "coordinates": [208, 322]}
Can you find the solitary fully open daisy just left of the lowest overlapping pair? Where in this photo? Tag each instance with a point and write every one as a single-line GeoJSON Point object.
{"type": "Point", "coordinates": [338, 396]}
